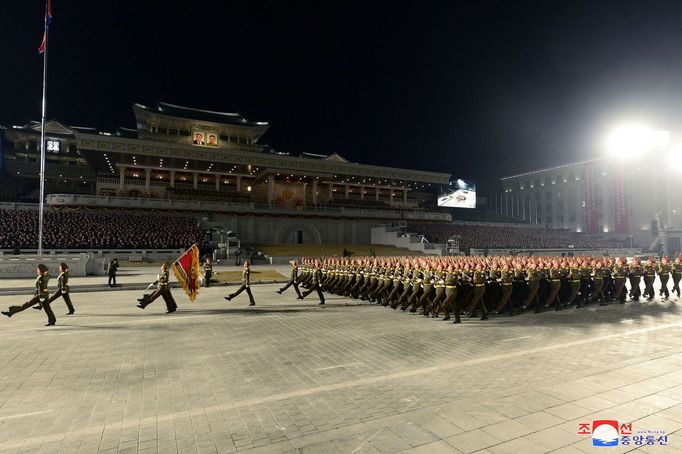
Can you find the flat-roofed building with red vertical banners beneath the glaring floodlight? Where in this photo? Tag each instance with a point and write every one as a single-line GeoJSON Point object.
{"type": "Point", "coordinates": [607, 196]}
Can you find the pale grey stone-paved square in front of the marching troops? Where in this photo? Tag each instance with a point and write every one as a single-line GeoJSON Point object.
{"type": "Point", "coordinates": [291, 376]}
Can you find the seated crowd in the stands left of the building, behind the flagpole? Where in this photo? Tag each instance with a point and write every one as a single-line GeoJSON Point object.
{"type": "Point", "coordinates": [97, 230]}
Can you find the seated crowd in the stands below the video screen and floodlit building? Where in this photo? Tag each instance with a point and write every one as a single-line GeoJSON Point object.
{"type": "Point", "coordinates": [506, 237]}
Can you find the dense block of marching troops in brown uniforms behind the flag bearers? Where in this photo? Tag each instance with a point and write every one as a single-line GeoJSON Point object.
{"type": "Point", "coordinates": [456, 286]}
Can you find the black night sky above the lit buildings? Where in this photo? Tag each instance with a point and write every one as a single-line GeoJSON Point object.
{"type": "Point", "coordinates": [478, 89]}
